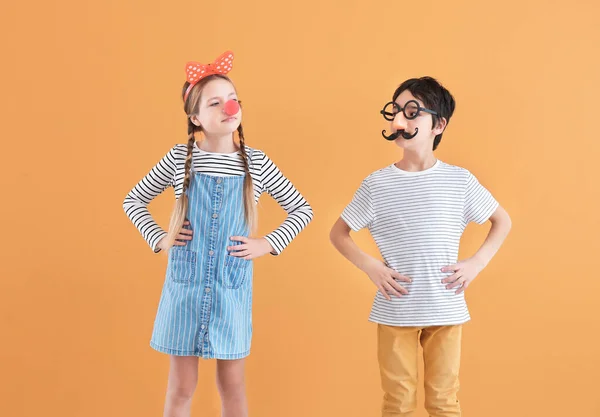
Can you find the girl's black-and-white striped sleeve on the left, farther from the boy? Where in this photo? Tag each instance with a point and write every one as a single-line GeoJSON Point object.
{"type": "Point", "coordinates": [160, 177]}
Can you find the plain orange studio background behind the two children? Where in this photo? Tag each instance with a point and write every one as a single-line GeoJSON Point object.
{"type": "Point", "coordinates": [91, 101]}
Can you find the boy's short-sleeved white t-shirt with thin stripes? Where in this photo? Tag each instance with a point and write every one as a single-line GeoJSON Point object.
{"type": "Point", "coordinates": [416, 220]}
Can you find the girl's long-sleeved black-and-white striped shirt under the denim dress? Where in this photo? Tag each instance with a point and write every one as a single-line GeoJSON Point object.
{"type": "Point", "coordinates": [266, 177]}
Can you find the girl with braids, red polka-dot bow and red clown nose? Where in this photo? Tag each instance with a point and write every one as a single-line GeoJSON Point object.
{"type": "Point", "coordinates": [206, 303]}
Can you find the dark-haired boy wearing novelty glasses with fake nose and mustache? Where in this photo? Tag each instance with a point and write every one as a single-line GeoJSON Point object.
{"type": "Point", "coordinates": [416, 210]}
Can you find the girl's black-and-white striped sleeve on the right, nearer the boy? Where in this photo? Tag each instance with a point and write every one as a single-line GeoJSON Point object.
{"type": "Point", "coordinates": [299, 212]}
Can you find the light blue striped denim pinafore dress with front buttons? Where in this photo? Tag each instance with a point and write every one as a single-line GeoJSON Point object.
{"type": "Point", "coordinates": [205, 308]}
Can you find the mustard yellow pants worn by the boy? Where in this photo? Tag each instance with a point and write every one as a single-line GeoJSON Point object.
{"type": "Point", "coordinates": [398, 349]}
